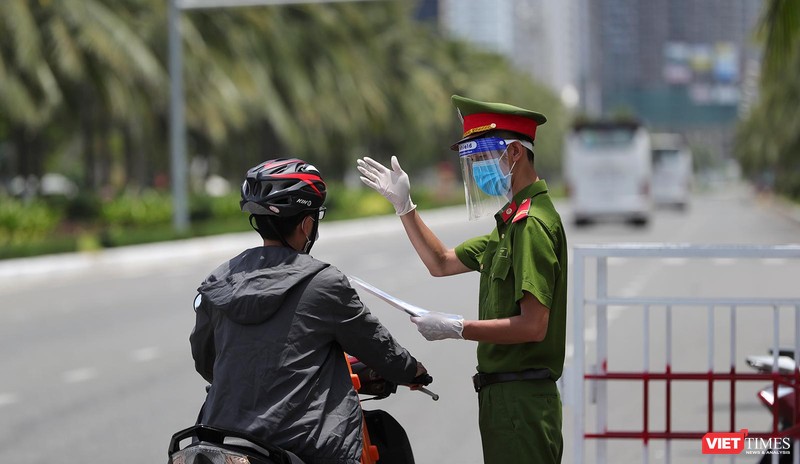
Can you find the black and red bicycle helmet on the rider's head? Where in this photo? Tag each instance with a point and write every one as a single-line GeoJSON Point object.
{"type": "Point", "coordinates": [282, 187]}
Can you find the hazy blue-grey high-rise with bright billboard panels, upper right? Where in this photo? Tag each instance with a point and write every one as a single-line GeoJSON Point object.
{"type": "Point", "coordinates": [675, 63]}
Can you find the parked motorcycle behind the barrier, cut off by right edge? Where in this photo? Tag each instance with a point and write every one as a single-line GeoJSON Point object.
{"type": "Point", "coordinates": [780, 399]}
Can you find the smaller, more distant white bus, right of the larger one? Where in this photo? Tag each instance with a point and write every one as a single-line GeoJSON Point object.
{"type": "Point", "coordinates": [672, 170]}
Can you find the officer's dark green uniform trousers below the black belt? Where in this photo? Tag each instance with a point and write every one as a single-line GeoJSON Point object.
{"type": "Point", "coordinates": [520, 422]}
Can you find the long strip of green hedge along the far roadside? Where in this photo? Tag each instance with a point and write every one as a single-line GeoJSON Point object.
{"type": "Point", "coordinates": [86, 222]}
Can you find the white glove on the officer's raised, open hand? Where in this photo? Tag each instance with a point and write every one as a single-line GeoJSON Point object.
{"type": "Point", "coordinates": [392, 184]}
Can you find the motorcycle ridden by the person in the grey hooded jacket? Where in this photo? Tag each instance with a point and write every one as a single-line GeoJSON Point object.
{"type": "Point", "coordinates": [385, 440]}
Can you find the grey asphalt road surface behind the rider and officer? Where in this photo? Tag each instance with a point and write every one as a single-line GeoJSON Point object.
{"type": "Point", "coordinates": [95, 357]}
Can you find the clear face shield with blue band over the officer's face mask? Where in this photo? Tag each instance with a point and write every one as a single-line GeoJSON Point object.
{"type": "Point", "coordinates": [486, 174]}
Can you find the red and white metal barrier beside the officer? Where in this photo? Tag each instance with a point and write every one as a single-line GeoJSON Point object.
{"type": "Point", "coordinates": [601, 375]}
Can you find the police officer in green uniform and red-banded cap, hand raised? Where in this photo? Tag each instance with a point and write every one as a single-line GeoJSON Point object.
{"type": "Point", "coordinates": [521, 331]}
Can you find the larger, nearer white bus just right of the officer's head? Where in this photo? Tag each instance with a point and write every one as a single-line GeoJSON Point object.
{"type": "Point", "coordinates": [607, 169]}
